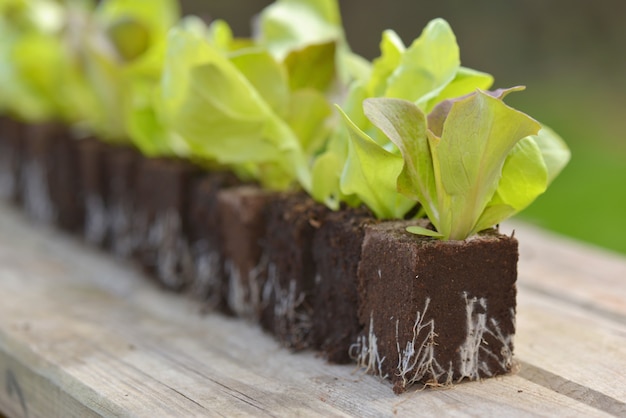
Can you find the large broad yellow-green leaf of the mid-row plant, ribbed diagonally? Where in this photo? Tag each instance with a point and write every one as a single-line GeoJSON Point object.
{"type": "Point", "coordinates": [235, 108]}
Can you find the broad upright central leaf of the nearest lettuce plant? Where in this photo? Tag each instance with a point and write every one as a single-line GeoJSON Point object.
{"type": "Point", "coordinates": [477, 136]}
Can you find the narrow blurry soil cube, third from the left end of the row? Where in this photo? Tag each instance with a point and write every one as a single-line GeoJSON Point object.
{"type": "Point", "coordinates": [91, 161]}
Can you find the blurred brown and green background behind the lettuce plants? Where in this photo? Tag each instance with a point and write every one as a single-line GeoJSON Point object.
{"type": "Point", "coordinates": [571, 55]}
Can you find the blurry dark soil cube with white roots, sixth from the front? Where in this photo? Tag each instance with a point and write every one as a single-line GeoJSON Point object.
{"type": "Point", "coordinates": [163, 187]}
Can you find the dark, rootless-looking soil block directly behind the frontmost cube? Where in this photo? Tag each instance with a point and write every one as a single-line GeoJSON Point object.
{"type": "Point", "coordinates": [337, 252]}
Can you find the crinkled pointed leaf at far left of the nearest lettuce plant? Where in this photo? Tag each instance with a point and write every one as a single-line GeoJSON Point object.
{"type": "Point", "coordinates": [371, 173]}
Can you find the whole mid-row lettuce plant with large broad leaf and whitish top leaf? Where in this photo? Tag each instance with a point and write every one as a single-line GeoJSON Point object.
{"type": "Point", "coordinates": [258, 106]}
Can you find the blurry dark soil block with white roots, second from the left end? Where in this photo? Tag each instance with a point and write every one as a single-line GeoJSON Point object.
{"type": "Point", "coordinates": [51, 186]}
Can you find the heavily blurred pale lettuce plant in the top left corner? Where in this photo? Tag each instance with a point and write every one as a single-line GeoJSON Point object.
{"type": "Point", "coordinates": [40, 78]}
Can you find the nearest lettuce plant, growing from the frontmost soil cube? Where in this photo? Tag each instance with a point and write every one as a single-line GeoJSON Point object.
{"type": "Point", "coordinates": [470, 163]}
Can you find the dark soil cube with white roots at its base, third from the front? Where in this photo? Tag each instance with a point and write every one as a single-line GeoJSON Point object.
{"type": "Point", "coordinates": [287, 297]}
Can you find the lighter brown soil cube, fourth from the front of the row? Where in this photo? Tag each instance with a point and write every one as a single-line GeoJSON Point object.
{"type": "Point", "coordinates": [242, 224]}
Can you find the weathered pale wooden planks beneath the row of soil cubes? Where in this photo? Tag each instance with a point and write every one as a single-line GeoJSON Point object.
{"type": "Point", "coordinates": [83, 335]}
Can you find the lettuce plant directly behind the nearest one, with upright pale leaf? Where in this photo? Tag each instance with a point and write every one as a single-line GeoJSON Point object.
{"type": "Point", "coordinates": [426, 72]}
